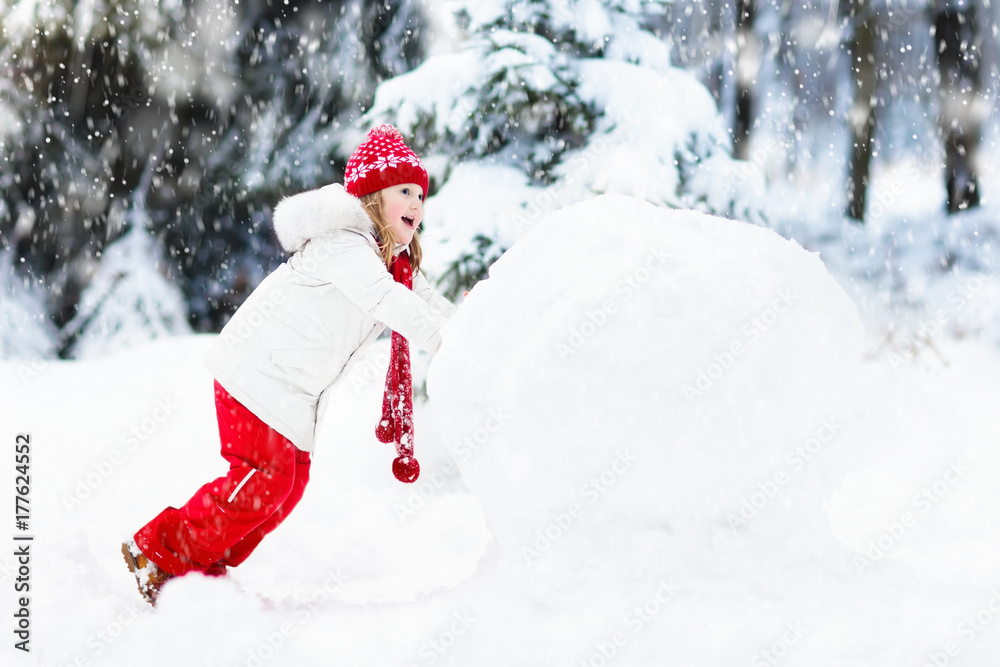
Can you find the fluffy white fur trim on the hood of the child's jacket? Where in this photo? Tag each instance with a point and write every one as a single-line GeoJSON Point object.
{"type": "Point", "coordinates": [308, 215]}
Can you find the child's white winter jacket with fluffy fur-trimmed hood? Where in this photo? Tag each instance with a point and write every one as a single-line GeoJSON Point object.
{"type": "Point", "coordinates": [305, 324]}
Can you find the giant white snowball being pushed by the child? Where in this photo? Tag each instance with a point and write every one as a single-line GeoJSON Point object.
{"type": "Point", "coordinates": [627, 368]}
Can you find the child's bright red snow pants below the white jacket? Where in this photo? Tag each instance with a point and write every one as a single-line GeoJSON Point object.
{"type": "Point", "coordinates": [227, 518]}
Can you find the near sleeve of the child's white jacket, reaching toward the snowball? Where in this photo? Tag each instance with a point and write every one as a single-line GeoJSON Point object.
{"type": "Point", "coordinates": [346, 260]}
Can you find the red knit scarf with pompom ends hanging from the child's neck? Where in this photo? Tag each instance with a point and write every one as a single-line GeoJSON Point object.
{"type": "Point", "coordinates": [397, 403]}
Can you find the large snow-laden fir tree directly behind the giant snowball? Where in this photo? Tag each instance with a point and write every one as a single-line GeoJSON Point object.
{"type": "Point", "coordinates": [539, 103]}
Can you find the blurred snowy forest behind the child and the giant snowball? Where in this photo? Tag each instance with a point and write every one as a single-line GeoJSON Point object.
{"type": "Point", "coordinates": [144, 144]}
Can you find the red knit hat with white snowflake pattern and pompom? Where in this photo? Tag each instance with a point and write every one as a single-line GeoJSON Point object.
{"type": "Point", "coordinates": [381, 161]}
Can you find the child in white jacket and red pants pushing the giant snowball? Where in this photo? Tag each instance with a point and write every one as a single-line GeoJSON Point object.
{"type": "Point", "coordinates": [356, 255]}
